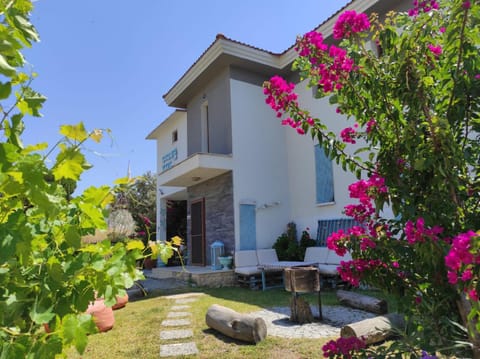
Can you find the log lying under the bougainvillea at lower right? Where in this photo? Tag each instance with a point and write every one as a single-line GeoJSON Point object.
{"type": "Point", "coordinates": [375, 329]}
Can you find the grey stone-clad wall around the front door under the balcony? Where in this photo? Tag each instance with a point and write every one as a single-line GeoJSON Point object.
{"type": "Point", "coordinates": [219, 221]}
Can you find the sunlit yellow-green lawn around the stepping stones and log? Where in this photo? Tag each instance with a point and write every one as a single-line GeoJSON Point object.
{"type": "Point", "coordinates": [137, 328]}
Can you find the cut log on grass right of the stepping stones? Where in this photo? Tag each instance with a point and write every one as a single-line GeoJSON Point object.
{"type": "Point", "coordinates": [236, 325]}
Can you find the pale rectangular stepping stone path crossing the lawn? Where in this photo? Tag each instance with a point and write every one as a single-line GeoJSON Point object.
{"type": "Point", "coordinates": [177, 326]}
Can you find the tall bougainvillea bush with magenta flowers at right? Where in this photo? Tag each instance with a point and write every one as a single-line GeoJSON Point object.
{"type": "Point", "coordinates": [410, 87]}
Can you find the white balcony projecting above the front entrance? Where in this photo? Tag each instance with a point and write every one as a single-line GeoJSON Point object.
{"type": "Point", "coordinates": [196, 169]}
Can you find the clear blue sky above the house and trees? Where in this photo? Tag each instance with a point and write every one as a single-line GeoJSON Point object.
{"type": "Point", "coordinates": [108, 63]}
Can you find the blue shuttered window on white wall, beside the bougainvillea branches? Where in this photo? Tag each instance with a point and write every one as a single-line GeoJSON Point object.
{"type": "Point", "coordinates": [324, 177]}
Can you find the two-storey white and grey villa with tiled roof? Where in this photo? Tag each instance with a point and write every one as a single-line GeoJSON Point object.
{"type": "Point", "coordinates": [243, 175]}
